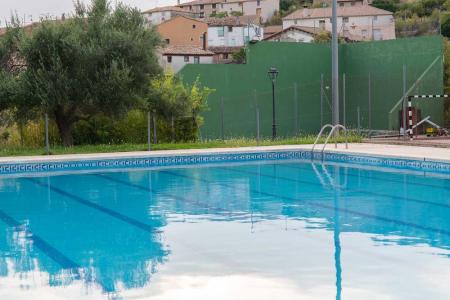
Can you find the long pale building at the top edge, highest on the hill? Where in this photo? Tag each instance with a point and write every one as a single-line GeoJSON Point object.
{"type": "Point", "coordinates": [206, 8]}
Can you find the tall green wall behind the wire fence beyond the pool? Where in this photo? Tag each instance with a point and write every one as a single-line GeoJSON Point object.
{"type": "Point", "coordinates": [373, 76]}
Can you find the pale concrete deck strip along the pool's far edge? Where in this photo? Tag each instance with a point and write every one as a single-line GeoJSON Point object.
{"type": "Point", "coordinates": [381, 150]}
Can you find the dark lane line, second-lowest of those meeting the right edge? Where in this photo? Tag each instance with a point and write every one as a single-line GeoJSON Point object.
{"type": "Point", "coordinates": [340, 188]}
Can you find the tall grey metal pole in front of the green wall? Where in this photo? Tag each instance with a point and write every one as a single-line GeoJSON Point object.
{"type": "Point", "coordinates": [334, 65]}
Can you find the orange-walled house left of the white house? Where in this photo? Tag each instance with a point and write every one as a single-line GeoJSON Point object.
{"type": "Point", "coordinates": [184, 31]}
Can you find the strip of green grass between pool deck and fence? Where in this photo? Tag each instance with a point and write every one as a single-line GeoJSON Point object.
{"type": "Point", "coordinates": [231, 143]}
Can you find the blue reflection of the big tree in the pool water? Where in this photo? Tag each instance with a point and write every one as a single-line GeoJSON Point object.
{"type": "Point", "coordinates": [111, 253]}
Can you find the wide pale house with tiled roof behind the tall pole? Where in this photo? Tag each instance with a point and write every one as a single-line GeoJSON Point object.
{"type": "Point", "coordinates": [356, 23]}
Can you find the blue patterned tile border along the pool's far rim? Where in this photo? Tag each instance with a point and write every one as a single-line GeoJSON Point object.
{"type": "Point", "coordinates": [180, 160]}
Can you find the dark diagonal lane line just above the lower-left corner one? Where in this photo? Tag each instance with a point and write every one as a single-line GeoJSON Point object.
{"type": "Point", "coordinates": [98, 207]}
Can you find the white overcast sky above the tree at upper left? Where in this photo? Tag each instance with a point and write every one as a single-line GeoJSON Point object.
{"type": "Point", "coordinates": [32, 9]}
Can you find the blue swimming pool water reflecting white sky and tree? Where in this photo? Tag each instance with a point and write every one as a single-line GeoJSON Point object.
{"type": "Point", "coordinates": [262, 230]}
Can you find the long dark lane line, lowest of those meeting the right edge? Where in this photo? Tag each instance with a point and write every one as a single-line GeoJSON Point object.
{"type": "Point", "coordinates": [329, 207]}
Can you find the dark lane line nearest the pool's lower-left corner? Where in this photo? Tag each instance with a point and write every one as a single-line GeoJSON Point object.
{"type": "Point", "coordinates": [45, 247]}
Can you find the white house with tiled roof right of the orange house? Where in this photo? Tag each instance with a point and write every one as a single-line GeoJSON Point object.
{"type": "Point", "coordinates": [233, 31]}
